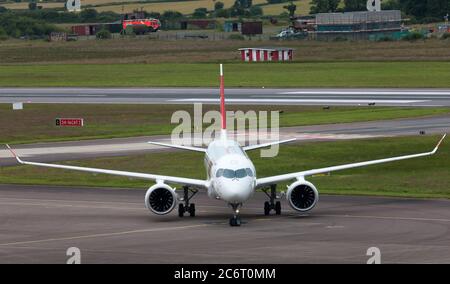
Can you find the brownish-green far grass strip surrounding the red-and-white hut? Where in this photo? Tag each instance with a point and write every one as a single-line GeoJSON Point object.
{"type": "Point", "coordinates": [143, 50]}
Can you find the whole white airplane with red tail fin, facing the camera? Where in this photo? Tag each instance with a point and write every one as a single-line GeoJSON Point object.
{"type": "Point", "coordinates": [231, 177]}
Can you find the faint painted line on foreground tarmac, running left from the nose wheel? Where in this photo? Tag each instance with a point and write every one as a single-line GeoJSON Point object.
{"type": "Point", "coordinates": [104, 235]}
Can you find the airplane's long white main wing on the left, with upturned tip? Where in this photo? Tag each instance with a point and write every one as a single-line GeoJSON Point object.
{"type": "Point", "coordinates": [157, 178]}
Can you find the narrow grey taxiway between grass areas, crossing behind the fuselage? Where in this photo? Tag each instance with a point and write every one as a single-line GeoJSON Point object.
{"type": "Point", "coordinates": [76, 150]}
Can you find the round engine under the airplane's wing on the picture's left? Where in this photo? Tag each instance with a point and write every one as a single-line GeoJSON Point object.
{"type": "Point", "coordinates": [161, 199]}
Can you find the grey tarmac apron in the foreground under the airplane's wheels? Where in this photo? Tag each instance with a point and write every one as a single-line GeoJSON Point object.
{"type": "Point", "coordinates": [39, 224]}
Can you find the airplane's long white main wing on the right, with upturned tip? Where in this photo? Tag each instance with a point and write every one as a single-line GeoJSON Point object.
{"type": "Point", "coordinates": [275, 179]}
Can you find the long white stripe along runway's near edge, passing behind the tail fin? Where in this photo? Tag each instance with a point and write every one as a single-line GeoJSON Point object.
{"type": "Point", "coordinates": [324, 101]}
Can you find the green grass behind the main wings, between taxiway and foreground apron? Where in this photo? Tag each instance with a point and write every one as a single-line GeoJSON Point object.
{"type": "Point", "coordinates": [423, 177]}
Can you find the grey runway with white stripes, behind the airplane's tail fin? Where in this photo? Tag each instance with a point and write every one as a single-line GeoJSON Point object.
{"type": "Point", "coordinates": [387, 97]}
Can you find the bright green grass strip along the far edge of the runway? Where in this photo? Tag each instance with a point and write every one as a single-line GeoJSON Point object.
{"type": "Point", "coordinates": [321, 74]}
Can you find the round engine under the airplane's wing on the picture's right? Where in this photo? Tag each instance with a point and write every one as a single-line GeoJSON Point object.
{"type": "Point", "coordinates": [302, 195]}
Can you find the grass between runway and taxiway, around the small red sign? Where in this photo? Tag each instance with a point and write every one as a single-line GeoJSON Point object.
{"type": "Point", "coordinates": [36, 122]}
